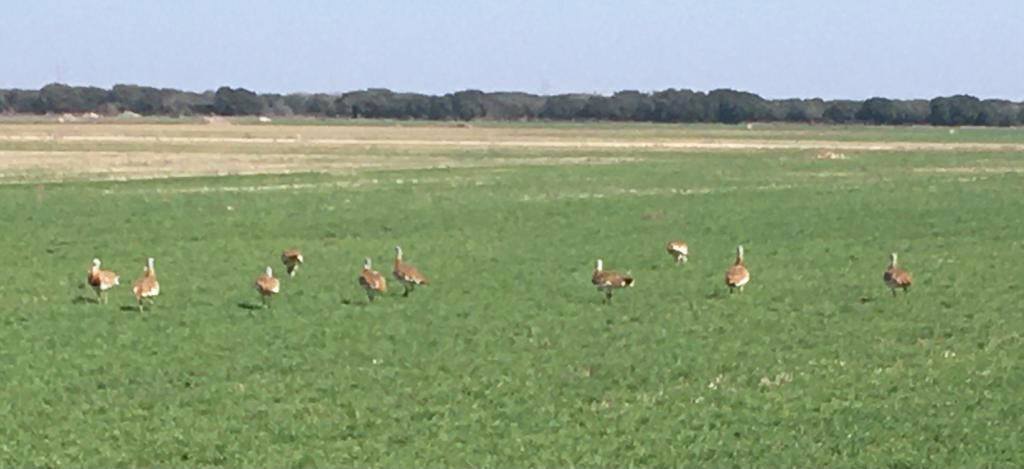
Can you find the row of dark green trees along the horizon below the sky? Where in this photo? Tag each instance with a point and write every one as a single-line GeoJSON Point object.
{"type": "Point", "coordinates": [721, 106]}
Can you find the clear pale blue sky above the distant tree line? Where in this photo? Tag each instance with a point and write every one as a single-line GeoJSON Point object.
{"type": "Point", "coordinates": [798, 49]}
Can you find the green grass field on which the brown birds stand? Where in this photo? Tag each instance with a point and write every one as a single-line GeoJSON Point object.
{"type": "Point", "coordinates": [510, 359]}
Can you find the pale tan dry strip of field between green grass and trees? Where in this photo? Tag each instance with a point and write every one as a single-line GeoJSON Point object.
{"type": "Point", "coordinates": [111, 151]}
